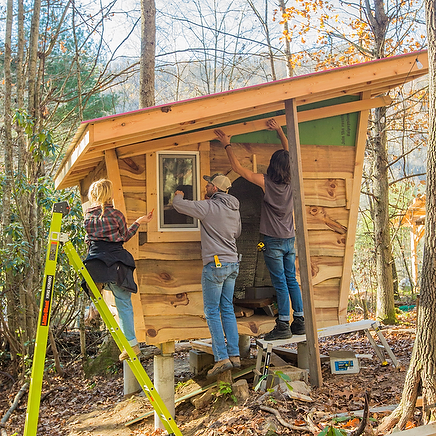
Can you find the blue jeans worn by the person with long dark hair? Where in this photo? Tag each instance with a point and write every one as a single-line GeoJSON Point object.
{"type": "Point", "coordinates": [279, 258]}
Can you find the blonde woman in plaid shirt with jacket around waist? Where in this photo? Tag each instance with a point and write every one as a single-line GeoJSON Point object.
{"type": "Point", "coordinates": [110, 265]}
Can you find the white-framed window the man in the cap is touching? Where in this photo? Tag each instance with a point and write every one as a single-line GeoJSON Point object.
{"type": "Point", "coordinates": [177, 172]}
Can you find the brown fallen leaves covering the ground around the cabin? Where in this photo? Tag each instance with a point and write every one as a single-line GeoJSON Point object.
{"type": "Point", "coordinates": [74, 405]}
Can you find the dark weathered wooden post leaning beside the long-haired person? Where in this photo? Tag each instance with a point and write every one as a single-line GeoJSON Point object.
{"type": "Point", "coordinates": [303, 242]}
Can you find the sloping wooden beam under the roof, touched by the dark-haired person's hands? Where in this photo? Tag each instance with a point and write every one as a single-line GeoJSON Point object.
{"type": "Point", "coordinates": [247, 127]}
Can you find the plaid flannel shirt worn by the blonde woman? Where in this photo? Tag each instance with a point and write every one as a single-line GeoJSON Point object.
{"type": "Point", "coordinates": [111, 227]}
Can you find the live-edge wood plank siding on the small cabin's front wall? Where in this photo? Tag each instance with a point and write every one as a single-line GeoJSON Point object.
{"type": "Point", "coordinates": [169, 272]}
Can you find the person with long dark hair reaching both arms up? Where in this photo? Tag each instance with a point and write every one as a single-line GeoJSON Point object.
{"type": "Point", "coordinates": [277, 228]}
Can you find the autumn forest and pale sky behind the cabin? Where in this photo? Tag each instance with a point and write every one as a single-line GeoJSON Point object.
{"type": "Point", "coordinates": [63, 62]}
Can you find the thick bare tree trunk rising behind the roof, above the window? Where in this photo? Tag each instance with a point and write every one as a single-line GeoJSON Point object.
{"type": "Point", "coordinates": [148, 51]}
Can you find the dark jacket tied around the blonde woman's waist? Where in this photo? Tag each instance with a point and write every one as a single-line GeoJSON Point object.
{"type": "Point", "coordinates": [110, 262]}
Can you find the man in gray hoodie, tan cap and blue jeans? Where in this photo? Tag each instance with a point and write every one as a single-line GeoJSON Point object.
{"type": "Point", "coordinates": [220, 226]}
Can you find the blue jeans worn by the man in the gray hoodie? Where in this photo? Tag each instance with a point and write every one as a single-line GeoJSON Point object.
{"type": "Point", "coordinates": [218, 288]}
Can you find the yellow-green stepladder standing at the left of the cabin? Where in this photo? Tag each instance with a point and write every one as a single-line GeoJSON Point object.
{"type": "Point", "coordinates": [55, 239]}
